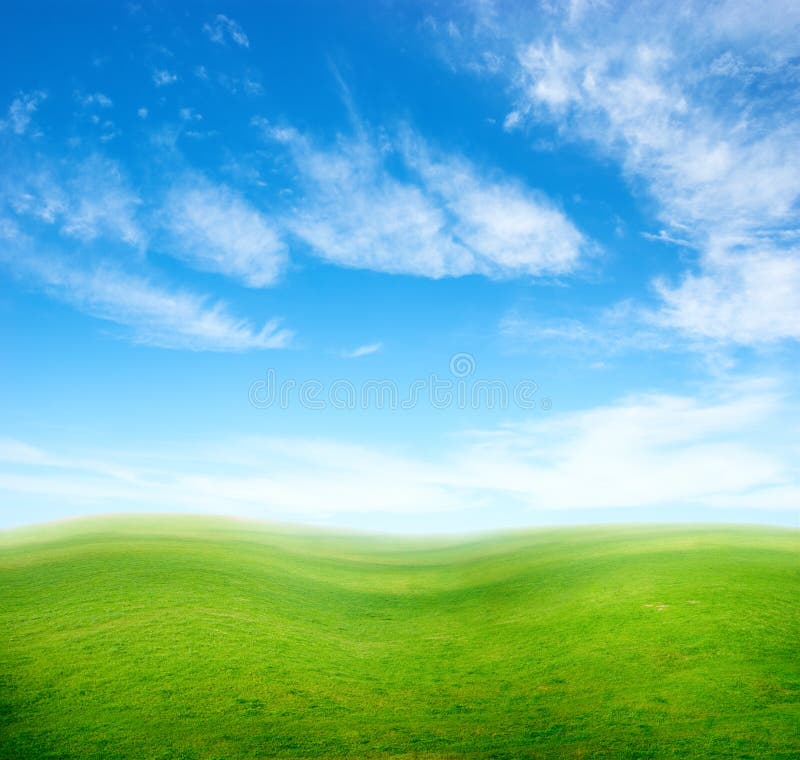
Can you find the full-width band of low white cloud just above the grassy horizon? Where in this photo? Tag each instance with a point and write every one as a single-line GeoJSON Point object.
{"type": "Point", "coordinates": [667, 451]}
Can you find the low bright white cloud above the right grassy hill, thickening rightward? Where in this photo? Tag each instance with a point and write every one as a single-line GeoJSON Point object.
{"type": "Point", "coordinates": [653, 450]}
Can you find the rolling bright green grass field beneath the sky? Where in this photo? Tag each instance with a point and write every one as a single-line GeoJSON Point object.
{"type": "Point", "coordinates": [185, 637]}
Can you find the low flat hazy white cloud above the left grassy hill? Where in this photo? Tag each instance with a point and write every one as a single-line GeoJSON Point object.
{"type": "Point", "coordinates": [257, 477]}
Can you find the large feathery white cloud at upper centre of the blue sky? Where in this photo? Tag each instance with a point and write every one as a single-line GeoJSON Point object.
{"type": "Point", "coordinates": [443, 218]}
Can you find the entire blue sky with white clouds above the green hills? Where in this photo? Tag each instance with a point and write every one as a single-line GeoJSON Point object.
{"type": "Point", "coordinates": [591, 204]}
